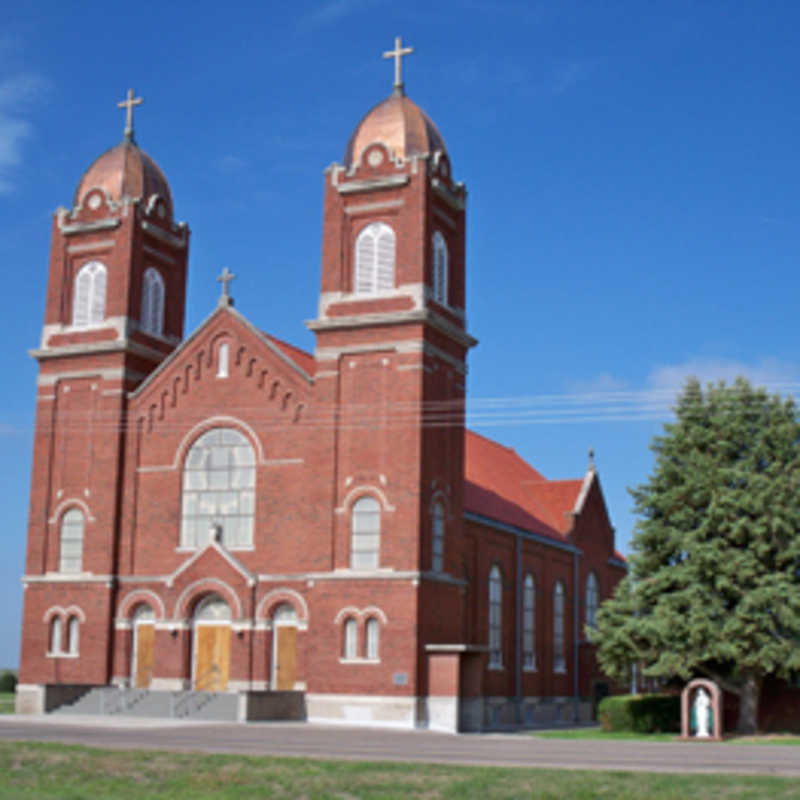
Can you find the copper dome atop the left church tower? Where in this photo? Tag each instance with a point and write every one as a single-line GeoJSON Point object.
{"type": "Point", "coordinates": [125, 171]}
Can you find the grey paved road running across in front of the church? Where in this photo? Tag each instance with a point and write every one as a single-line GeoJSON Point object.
{"type": "Point", "coordinates": [372, 744]}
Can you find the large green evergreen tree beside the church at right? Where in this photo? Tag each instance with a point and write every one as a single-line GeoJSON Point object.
{"type": "Point", "coordinates": [714, 582]}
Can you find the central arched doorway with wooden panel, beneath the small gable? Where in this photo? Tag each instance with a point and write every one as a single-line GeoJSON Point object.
{"type": "Point", "coordinates": [212, 644]}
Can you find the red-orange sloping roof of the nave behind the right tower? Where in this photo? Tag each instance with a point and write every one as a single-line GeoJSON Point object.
{"type": "Point", "coordinates": [504, 487]}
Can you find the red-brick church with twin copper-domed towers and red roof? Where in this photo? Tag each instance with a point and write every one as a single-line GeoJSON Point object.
{"type": "Point", "coordinates": [222, 513]}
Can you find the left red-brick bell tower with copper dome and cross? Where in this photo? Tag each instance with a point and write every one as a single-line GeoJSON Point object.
{"type": "Point", "coordinates": [114, 311]}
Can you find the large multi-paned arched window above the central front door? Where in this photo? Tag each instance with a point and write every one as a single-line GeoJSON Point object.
{"type": "Point", "coordinates": [219, 478]}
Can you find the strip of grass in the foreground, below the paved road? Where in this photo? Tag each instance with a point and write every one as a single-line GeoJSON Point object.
{"type": "Point", "coordinates": [42, 771]}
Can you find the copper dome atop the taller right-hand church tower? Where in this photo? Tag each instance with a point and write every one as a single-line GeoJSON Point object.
{"type": "Point", "coordinates": [398, 123]}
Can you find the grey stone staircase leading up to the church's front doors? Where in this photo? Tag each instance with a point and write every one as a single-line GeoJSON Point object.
{"type": "Point", "coordinates": [189, 705]}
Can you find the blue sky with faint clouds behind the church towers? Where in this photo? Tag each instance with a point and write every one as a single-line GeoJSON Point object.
{"type": "Point", "coordinates": [632, 172]}
